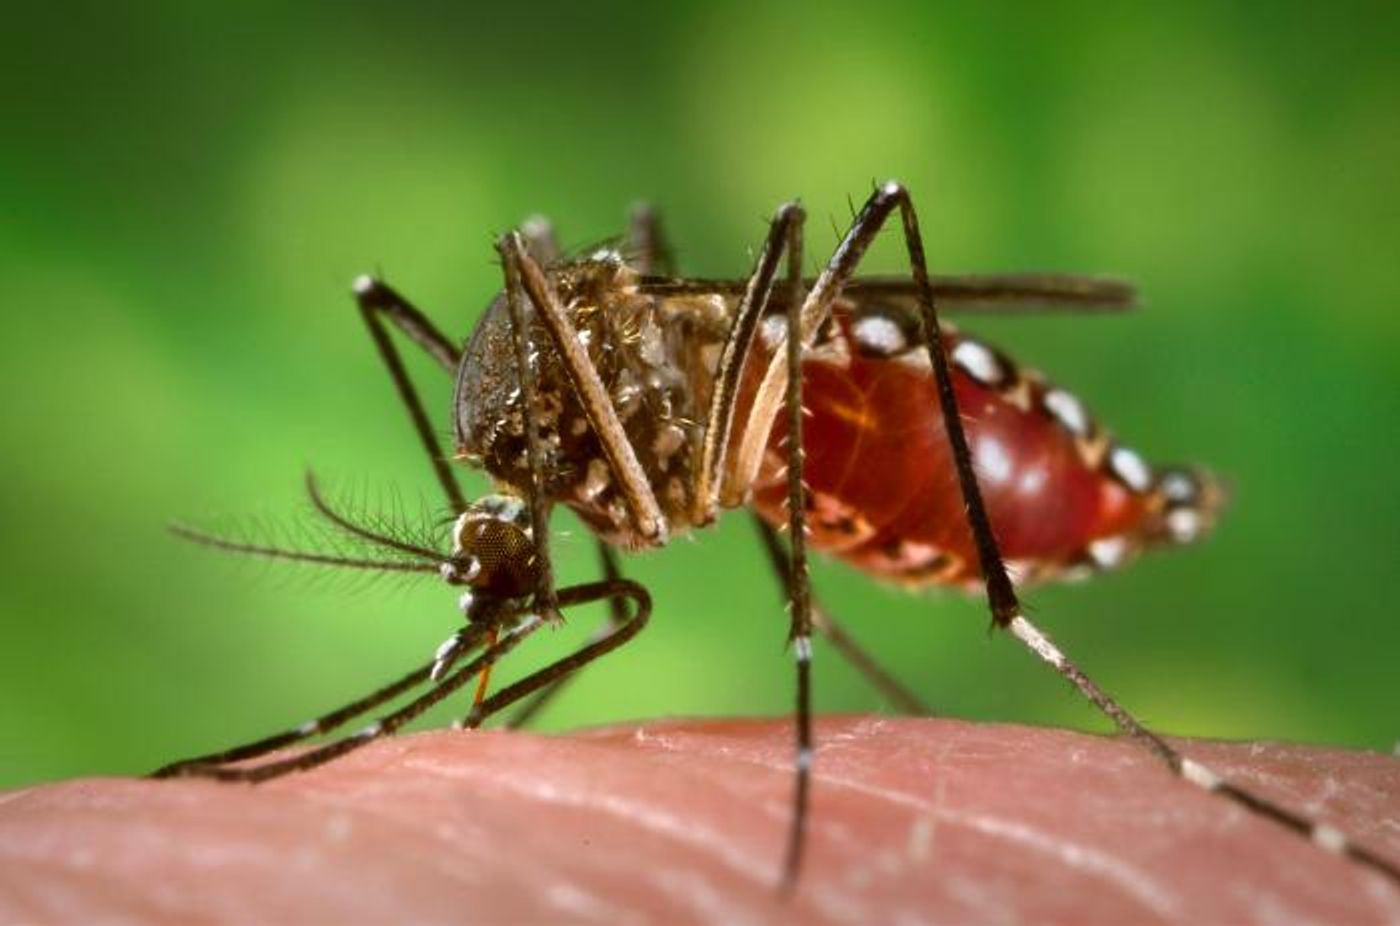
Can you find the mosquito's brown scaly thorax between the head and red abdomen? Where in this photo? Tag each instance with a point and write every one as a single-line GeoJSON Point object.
{"type": "Point", "coordinates": [654, 355]}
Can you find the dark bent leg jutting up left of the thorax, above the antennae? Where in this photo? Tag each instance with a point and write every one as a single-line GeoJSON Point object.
{"type": "Point", "coordinates": [377, 300]}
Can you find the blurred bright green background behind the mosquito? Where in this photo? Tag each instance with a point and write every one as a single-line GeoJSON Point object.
{"type": "Point", "coordinates": [187, 194]}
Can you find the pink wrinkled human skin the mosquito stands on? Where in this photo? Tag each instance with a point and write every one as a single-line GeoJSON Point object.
{"type": "Point", "coordinates": [915, 820]}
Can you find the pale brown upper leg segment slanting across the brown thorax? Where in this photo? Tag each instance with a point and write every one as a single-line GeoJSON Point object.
{"type": "Point", "coordinates": [524, 274]}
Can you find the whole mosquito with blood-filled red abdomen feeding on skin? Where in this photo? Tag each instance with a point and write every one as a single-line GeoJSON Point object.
{"type": "Point", "coordinates": [649, 404]}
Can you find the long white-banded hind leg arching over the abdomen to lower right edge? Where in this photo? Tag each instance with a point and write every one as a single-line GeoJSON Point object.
{"type": "Point", "coordinates": [1002, 596]}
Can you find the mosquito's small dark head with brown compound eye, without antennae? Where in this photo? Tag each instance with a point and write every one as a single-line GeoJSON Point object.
{"type": "Point", "coordinates": [493, 551]}
